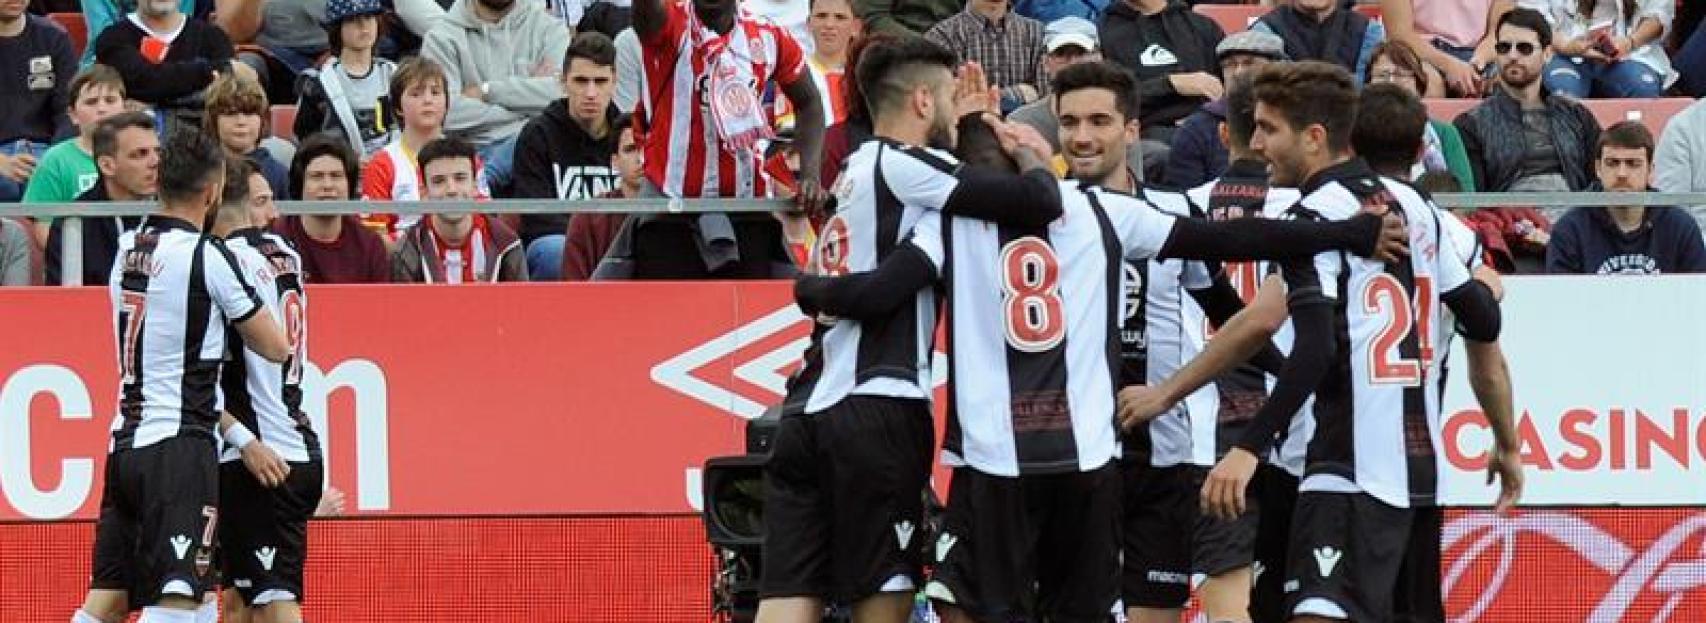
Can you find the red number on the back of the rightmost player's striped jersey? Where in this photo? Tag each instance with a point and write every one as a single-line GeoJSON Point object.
{"type": "Point", "coordinates": [1384, 296]}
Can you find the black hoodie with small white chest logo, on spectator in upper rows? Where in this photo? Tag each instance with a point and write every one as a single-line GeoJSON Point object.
{"type": "Point", "coordinates": [1156, 47]}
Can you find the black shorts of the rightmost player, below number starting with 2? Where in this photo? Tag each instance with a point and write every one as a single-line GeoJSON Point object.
{"type": "Point", "coordinates": [1347, 554]}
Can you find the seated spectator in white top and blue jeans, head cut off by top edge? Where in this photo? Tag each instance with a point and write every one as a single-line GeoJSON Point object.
{"type": "Point", "coordinates": [1608, 49]}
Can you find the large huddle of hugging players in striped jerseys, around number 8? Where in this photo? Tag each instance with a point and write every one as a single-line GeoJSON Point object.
{"type": "Point", "coordinates": [1231, 390]}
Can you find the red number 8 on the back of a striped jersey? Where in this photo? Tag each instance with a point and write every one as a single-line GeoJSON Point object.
{"type": "Point", "coordinates": [1031, 291]}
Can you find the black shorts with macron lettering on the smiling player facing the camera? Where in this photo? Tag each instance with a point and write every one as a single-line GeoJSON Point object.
{"type": "Point", "coordinates": [1158, 523]}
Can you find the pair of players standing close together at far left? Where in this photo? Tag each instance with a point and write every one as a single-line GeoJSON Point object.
{"type": "Point", "coordinates": [211, 320]}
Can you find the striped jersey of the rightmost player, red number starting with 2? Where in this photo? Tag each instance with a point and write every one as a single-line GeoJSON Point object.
{"type": "Point", "coordinates": [1378, 412]}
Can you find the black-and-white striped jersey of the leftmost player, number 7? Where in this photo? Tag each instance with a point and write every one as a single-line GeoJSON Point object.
{"type": "Point", "coordinates": [175, 291]}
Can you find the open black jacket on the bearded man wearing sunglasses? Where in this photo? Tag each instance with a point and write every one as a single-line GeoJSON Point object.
{"type": "Point", "coordinates": [1494, 136]}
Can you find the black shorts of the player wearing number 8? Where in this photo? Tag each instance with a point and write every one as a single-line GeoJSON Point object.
{"type": "Point", "coordinates": [1031, 549]}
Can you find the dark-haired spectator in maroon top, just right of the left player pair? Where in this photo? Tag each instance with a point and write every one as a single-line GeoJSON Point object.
{"type": "Point", "coordinates": [335, 248]}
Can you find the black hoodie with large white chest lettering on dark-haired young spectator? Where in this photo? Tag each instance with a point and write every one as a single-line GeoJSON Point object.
{"type": "Point", "coordinates": [555, 160]}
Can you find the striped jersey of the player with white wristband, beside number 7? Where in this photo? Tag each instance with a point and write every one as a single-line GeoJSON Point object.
{"type": "Point", "coordinates": [267, 397]}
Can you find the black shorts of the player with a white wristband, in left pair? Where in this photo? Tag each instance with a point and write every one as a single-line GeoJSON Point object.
{"type": "Point", "coordinates": [264, 535]}
